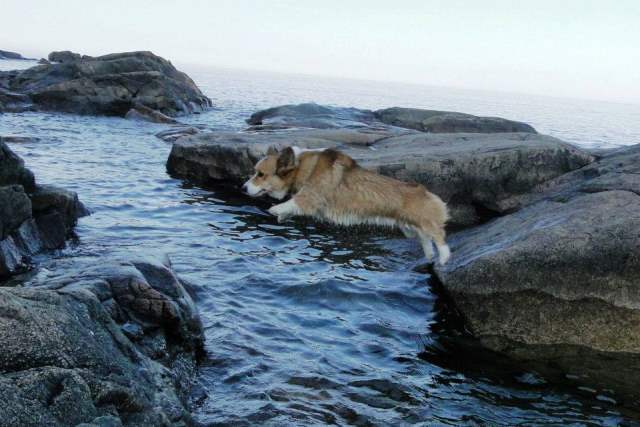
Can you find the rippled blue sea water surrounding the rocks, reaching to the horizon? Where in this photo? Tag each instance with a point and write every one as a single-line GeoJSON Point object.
{"type": "Point", "coordinates": [308, 324]}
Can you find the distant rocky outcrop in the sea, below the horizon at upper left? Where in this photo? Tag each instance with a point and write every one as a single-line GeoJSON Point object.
{"type": "Point", "coordinates": [106, 85]}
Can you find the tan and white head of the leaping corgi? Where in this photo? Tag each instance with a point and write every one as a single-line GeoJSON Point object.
{"type": "Point", "coordinates": [273, 175]}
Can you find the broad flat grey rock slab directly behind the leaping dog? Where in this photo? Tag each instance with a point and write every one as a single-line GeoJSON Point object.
{"type": "Point", "coordinates": [478, 174]}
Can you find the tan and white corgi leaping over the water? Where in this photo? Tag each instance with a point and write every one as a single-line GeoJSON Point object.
{"type": "Point", "coordinates": [329, 185]}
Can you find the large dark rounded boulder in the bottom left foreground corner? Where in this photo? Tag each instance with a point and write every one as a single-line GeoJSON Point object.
{"type": "Point", "coordinates": [67, 360]}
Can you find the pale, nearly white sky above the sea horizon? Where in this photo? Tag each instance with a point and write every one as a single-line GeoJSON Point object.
{"type": "Point", "coordinates": [571, 48]}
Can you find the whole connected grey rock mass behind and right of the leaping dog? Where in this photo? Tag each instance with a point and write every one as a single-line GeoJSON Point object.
{"type": "Point", "coordinates": [546, 265]}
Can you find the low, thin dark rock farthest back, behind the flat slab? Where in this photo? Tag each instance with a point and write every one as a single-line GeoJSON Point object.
{"type": "Point", "coordinates": [448, 122]}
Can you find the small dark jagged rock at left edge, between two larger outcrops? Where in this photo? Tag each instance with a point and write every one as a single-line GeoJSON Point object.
{"type": "Point", "coordinates": [32, 217]}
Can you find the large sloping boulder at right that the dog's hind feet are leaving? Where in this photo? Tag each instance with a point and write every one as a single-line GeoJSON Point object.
{"type": "Point", "coordinates": [560, 278]}
